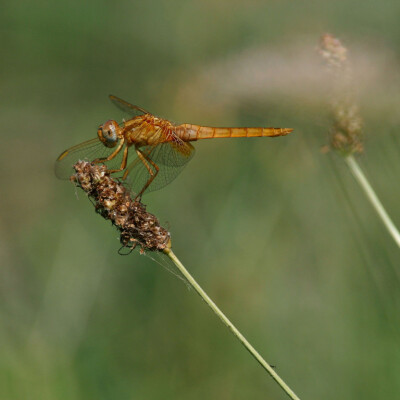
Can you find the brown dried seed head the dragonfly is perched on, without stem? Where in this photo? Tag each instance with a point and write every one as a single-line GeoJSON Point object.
{"type": "Point", "coordinates": [113, 202]}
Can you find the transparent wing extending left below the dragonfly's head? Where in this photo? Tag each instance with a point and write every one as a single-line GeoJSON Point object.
{"type": "Point", "coordinates": [89, 150]}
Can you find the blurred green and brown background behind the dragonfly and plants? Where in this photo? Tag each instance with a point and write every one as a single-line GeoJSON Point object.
{"type": "Point", "coordinates": [277, 233]}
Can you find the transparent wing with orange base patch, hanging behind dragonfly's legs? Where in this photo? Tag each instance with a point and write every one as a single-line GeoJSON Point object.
{"type": "Point", "coordinates": [170, 157]}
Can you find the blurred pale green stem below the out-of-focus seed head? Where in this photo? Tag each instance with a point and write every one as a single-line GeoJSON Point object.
{"type": "Point", "coordinates": [373, 198]}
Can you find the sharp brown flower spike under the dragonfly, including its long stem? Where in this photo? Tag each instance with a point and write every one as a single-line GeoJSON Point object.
{"type": "Point", "coordinates": [138, 227]}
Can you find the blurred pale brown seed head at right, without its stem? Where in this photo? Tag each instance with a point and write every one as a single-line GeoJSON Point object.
{"type": "Point", "coordinates": [346, 132]}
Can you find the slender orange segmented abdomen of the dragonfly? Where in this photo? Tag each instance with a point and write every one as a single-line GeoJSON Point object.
{"type": "Point", "coordinates": [189, 132]}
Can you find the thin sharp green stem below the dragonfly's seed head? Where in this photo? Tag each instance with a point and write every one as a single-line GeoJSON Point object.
{"type": "Point", "coordinates": [229, 324]}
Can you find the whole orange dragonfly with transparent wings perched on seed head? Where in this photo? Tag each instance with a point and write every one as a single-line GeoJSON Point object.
{"type": "Point", "coordinates": [161, 149]}
